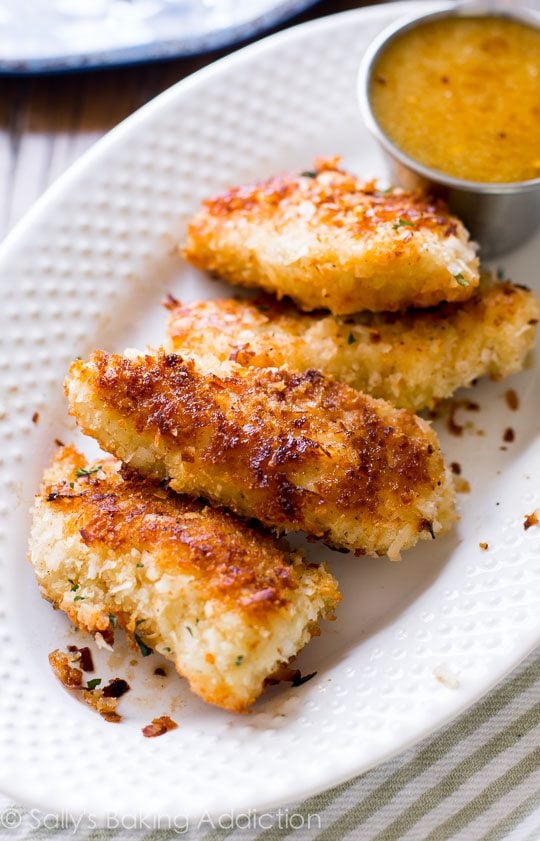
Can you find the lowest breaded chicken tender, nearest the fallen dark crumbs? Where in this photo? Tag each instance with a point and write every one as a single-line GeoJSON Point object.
{"type": "Point", "coordinates": [226, 602]}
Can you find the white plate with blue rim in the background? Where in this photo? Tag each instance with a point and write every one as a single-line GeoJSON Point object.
{"type": "Point", "coordinates": [52, 36]}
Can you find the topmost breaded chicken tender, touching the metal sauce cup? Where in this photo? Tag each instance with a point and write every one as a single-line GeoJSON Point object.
{"type": "Point", "coordinates": [329, 240]}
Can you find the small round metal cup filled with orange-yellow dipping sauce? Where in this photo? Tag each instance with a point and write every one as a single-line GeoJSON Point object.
{"type": "Point", "coordinates": [454, 99]}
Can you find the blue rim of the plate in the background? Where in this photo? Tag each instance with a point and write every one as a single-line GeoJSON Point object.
{"type": "Point", "coordinates": [158, 50]}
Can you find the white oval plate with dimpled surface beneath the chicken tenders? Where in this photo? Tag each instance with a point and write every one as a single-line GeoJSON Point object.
{"type": "Point", "coordinates": [414, 643]}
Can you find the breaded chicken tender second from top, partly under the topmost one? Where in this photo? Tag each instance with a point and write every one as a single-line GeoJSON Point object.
{"type": "Point", "coordinates": [413, 360]}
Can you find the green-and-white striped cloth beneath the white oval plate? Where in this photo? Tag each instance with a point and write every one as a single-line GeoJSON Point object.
{"type": "Point", "coordinates": [477, 780]}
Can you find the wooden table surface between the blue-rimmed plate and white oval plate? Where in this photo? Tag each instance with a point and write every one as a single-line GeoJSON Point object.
{"type": "Point", "coordinates": [46, 122]}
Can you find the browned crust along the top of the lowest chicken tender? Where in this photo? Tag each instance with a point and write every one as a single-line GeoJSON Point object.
{"type": "Point", "coordinates": [118, 510]}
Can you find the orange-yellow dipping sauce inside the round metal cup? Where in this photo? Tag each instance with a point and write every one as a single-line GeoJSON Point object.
{"type": "Point", "coordinates": [462, 95]}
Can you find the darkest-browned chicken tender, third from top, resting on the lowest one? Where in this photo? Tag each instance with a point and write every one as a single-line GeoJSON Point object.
{"type": "Point", "coordinates": [296, 451]}
